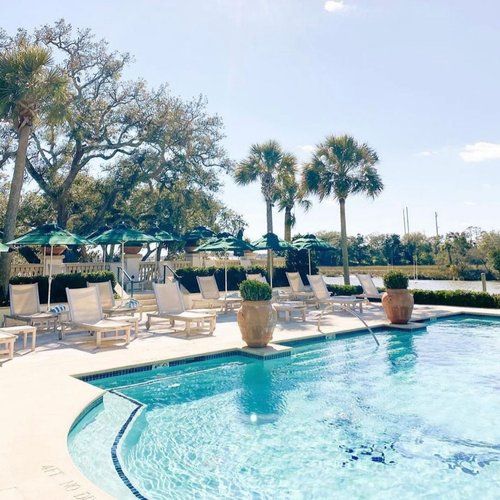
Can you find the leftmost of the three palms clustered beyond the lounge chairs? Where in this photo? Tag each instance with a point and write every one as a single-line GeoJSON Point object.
{"type": "Point", "coordinates": [266, 162]}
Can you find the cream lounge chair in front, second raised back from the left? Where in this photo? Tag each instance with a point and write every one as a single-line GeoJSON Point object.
{"type": "Point", "coordinates": [86, 315]}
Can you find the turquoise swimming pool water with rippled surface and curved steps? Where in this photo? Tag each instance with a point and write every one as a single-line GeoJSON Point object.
{"type": "Point", "coordinates": [418, 417]}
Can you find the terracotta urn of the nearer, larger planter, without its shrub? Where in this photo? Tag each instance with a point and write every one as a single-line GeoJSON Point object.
{"type": "Point", "coordinates": [257, 320]}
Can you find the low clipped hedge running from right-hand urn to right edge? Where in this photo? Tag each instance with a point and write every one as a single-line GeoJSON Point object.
{"type": "Point", "coordinates": [461, 298]}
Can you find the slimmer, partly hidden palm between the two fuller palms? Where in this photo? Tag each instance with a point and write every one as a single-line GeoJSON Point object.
{"type": "Point", "coordinates": [290, 194]}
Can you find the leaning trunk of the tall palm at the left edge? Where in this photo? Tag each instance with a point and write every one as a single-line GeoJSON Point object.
{"type": "Point", "coordinates": [16, 186]}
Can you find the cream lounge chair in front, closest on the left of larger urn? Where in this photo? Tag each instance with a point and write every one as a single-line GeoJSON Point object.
{"type": "Point", "coordinates": [171, 307]}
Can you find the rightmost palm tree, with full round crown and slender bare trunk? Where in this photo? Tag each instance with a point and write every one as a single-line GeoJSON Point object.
{"type": "Point", "coordinates": [342, 166]}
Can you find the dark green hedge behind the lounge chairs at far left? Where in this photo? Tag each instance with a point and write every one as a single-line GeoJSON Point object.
{"type": "Point", "coordinates": [62, 281]}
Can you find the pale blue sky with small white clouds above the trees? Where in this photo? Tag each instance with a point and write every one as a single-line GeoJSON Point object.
{"type": "Point", "coordinates": [418, 80]}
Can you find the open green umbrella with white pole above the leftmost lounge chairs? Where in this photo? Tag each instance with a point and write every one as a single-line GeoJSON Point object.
{"type": "Point", "coordinates": [49, 235]}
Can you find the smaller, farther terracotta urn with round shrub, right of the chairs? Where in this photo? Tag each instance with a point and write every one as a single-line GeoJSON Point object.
{"type": "Point", "coordinates": [397, 299]}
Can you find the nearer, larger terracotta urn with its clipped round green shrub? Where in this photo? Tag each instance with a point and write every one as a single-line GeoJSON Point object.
{"type": "Point", "coordinates": [257, 316]}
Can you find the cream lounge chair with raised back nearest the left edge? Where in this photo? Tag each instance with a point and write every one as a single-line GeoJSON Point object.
{"type": "Point", "coordinates": [25, 308]}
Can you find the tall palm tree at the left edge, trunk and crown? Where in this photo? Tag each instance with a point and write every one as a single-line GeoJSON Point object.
{"type": "Point", "coordinates": [29, 87]}
